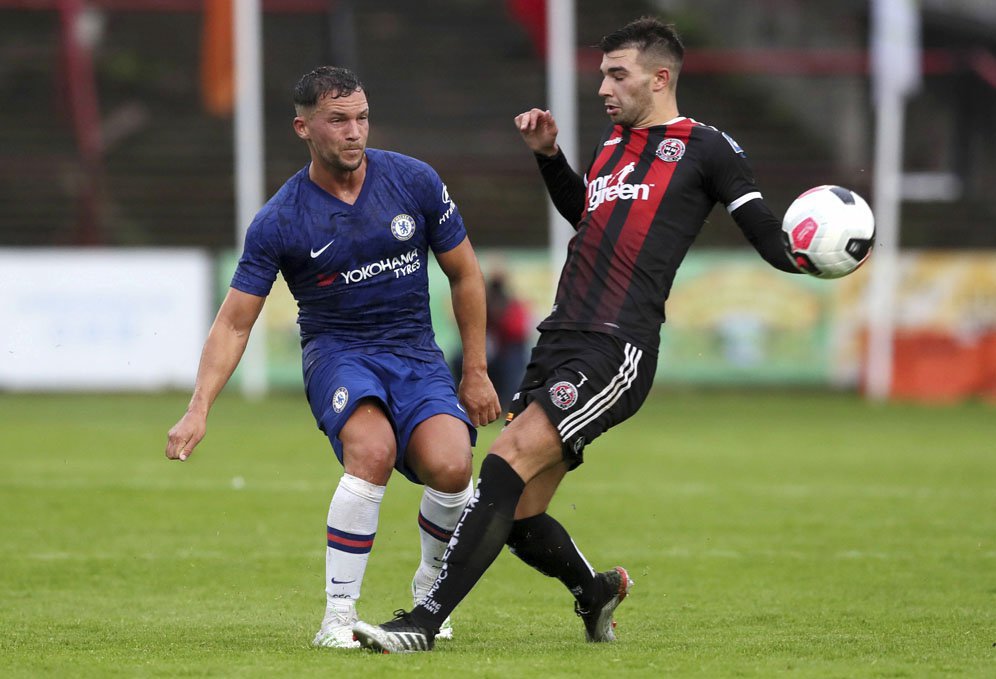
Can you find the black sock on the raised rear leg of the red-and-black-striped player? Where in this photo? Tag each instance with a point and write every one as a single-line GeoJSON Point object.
{"type": "Point", "coordinates": [541, 542]}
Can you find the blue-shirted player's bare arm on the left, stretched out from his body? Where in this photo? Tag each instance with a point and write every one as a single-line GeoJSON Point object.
{"type": "Point", "coordinates": [222, 352]}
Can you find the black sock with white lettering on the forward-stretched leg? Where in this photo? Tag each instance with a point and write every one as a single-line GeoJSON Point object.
{"type": "Point", "coordinates": [477, 540]}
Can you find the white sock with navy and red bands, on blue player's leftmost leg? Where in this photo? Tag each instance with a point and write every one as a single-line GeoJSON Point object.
{"type": "Point", "coordinates": [352, 525]}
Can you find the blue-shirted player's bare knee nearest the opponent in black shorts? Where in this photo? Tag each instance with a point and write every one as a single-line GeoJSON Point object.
{"type": "Point", "coordinates": [439, 453]}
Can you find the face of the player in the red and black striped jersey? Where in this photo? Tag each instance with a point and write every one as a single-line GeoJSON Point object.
{"type": "Point", "coordinates": [626, 88]}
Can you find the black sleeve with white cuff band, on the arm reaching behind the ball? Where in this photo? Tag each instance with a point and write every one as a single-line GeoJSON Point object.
{"type": "Point", "coordinates": [732, 184]}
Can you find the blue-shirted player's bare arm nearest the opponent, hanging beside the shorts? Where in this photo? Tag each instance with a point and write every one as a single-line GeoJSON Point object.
{"type": "Point", "coordinates": [467, 292]}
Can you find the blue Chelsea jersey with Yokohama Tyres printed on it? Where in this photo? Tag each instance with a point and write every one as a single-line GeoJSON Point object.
{"type": "Point", "coordinates": [358, 272]}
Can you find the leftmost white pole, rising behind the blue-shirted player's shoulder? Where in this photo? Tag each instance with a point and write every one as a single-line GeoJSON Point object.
{"type": "Point", "coordinates": [249, 180]}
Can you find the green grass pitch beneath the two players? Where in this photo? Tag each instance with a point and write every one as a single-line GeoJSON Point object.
{"type": "Point", "coordinates": [770, 534]}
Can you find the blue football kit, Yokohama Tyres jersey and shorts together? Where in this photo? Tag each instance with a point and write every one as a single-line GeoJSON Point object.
{"type": "Point", "coordinates": [359, 274]}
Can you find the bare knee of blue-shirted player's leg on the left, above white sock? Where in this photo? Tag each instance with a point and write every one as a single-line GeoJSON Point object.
{"type": "Point", "coordinates": [369, 448]}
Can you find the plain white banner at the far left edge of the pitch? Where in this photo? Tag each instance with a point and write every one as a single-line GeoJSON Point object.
{"type": "Point", "coordinates": [102, 319]}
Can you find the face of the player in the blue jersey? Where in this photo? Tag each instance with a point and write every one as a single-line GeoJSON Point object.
{"type": "Point", "coordinates": [336, 131]}
